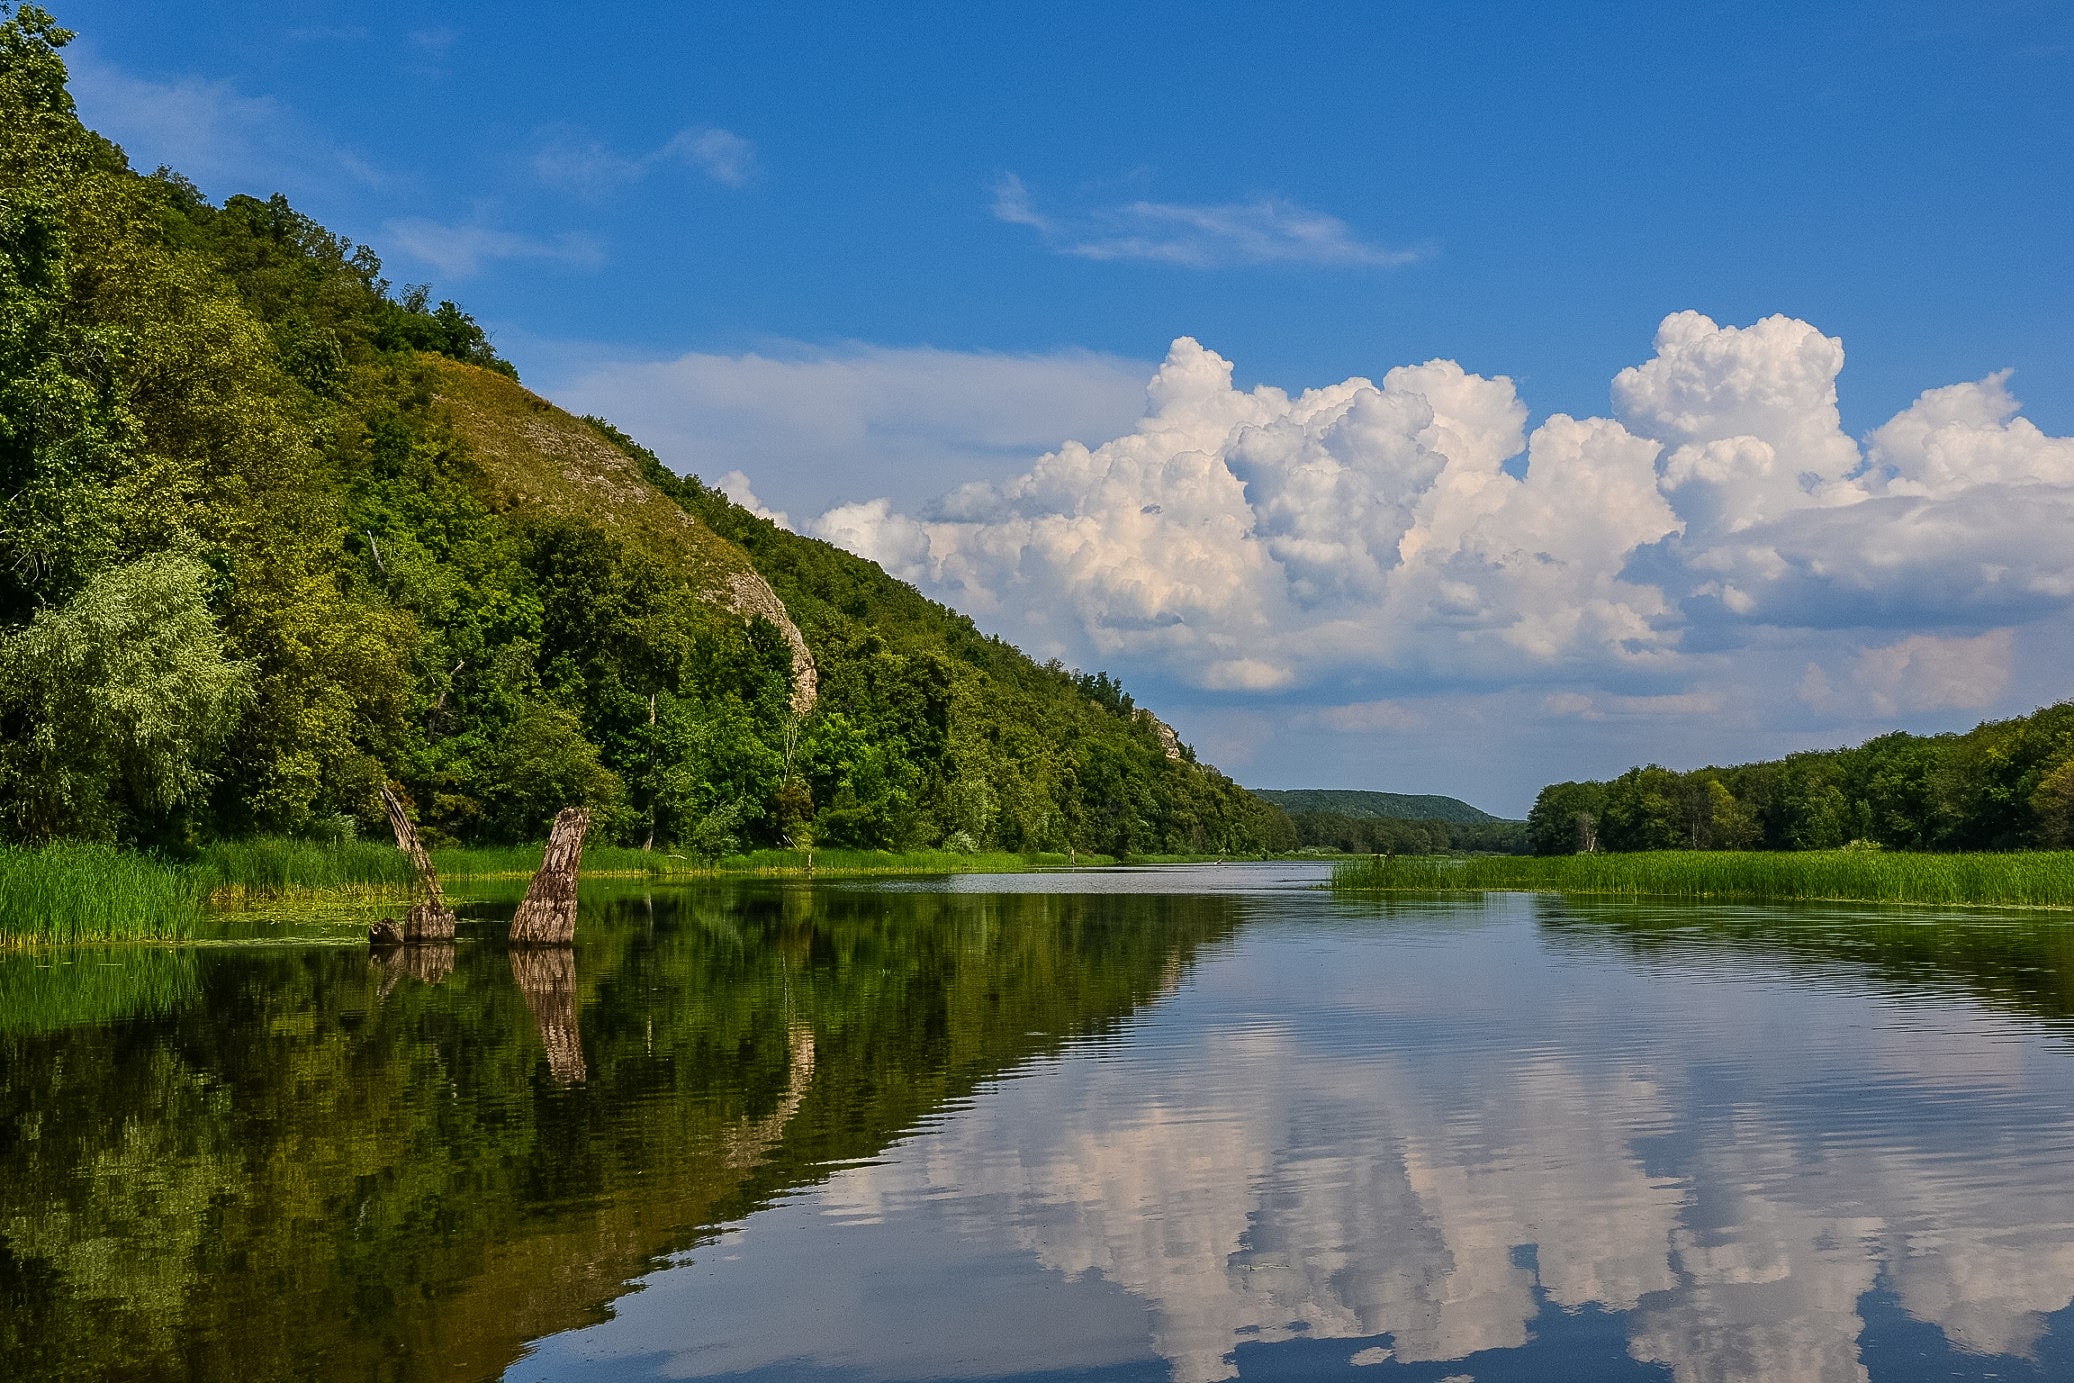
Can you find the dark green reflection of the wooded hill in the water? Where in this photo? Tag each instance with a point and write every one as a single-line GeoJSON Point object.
{"type": "Point", "coordinates": [240, 1185]}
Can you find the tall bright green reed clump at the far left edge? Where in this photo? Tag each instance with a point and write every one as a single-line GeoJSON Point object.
{"type": "Point", "coordinates": [65, 895]}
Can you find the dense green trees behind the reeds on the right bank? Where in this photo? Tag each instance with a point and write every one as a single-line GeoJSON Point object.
{"type": "Point", "coordinates": [1998, 787]}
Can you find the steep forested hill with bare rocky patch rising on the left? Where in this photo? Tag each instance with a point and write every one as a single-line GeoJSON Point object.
{"type": "Point", "coordinates": [275, 534]}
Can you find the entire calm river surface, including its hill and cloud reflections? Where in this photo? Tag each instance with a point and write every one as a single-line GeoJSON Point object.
{"type": "Point", "coordinates": [1123, 1125]}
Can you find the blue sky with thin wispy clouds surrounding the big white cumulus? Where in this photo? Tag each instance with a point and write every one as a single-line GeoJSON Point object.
{"type": "Point", "coordinates": [880, 252]}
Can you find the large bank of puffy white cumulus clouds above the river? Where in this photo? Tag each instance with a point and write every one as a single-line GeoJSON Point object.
{"type": "Point", "coordinates": [1260, 540]}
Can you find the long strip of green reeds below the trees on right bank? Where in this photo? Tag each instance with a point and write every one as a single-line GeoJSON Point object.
{"type": "Point", "coordinates": [2013, 880]}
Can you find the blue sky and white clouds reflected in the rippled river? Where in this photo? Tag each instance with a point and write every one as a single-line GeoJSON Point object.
{"type": "Point", "coordinates": [1507, 1141]}
